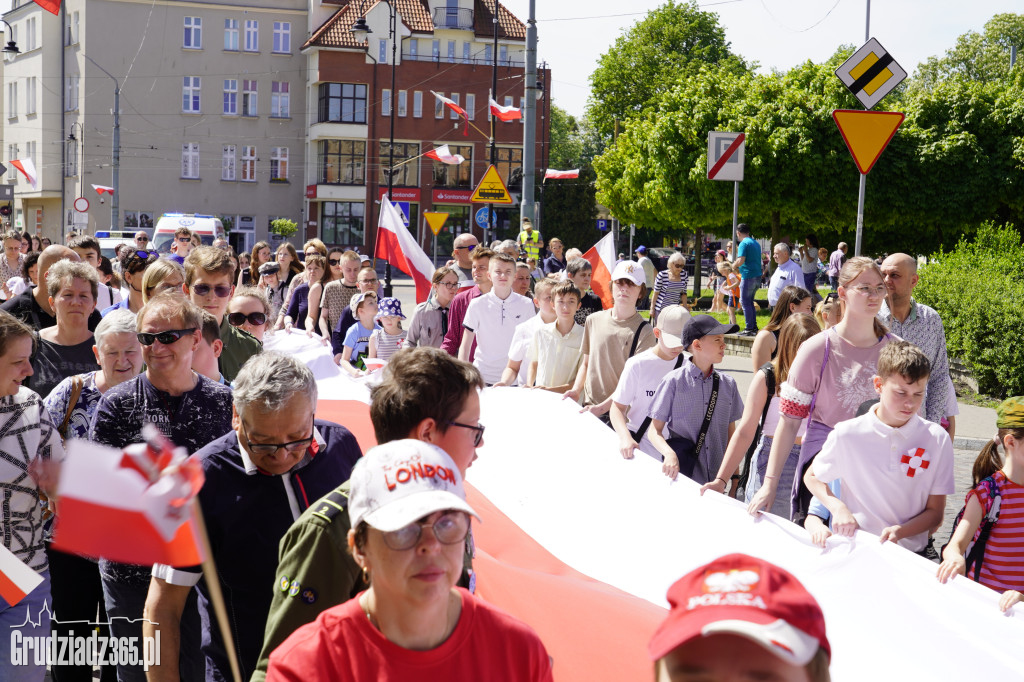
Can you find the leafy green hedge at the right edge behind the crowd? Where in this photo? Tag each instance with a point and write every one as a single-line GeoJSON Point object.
{"type": "Point", "coordinates": [978, 289]}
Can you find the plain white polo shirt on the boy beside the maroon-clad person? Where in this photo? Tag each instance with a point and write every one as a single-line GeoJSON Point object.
{"type": "Point", "coordinates": [494, 322]}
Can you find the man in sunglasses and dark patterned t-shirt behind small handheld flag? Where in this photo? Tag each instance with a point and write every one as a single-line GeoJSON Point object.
{"type": "Point", "coordinates": [192, 412]}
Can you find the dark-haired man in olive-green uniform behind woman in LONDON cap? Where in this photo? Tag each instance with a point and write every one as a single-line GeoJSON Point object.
{"type": "Point", "coordinates": [424, 395]}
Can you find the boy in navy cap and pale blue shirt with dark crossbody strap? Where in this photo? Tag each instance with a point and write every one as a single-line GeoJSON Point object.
{"type": "Point", "coordinates": [682, 401]}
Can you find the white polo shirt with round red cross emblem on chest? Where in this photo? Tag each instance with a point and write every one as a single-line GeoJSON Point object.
{"type": "Point", "coordinates": [888, 474]}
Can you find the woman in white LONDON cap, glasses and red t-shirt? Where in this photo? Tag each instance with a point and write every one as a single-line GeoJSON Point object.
{"type": "Point", "coordinates": [410, 521]}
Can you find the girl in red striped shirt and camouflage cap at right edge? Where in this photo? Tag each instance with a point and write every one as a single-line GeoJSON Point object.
{"type": "Point", "coordinates": [994, 550]}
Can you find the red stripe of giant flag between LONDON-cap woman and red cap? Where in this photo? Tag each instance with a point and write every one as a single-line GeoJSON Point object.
{"type": "Point", "coordinates": [581, 621]}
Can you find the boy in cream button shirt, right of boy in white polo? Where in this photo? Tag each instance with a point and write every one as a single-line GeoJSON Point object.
{"type": "Point", "coordinates": [554, 356]}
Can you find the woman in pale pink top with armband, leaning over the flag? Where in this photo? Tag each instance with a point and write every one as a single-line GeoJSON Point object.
{"type": "Point", "coordinates": [843, 362]}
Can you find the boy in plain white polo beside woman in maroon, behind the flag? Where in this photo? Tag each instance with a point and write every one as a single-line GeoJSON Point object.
{"type": "Point", "coordinates": [491, 321]}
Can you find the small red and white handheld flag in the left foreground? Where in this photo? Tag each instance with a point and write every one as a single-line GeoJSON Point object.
{"type": "Point", "coordinates": [145, 493]}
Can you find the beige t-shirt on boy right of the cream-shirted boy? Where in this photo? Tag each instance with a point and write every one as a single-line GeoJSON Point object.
{"type": "Point", "coordinates": [608, 342]}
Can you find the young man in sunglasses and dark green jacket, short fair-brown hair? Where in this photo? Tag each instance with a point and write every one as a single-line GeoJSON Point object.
{"type": "Point", "coordinates": [210, 284]}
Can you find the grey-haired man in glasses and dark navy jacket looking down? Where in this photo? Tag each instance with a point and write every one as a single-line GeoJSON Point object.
{"type": "Point", "coordinates": [276, 461]}
